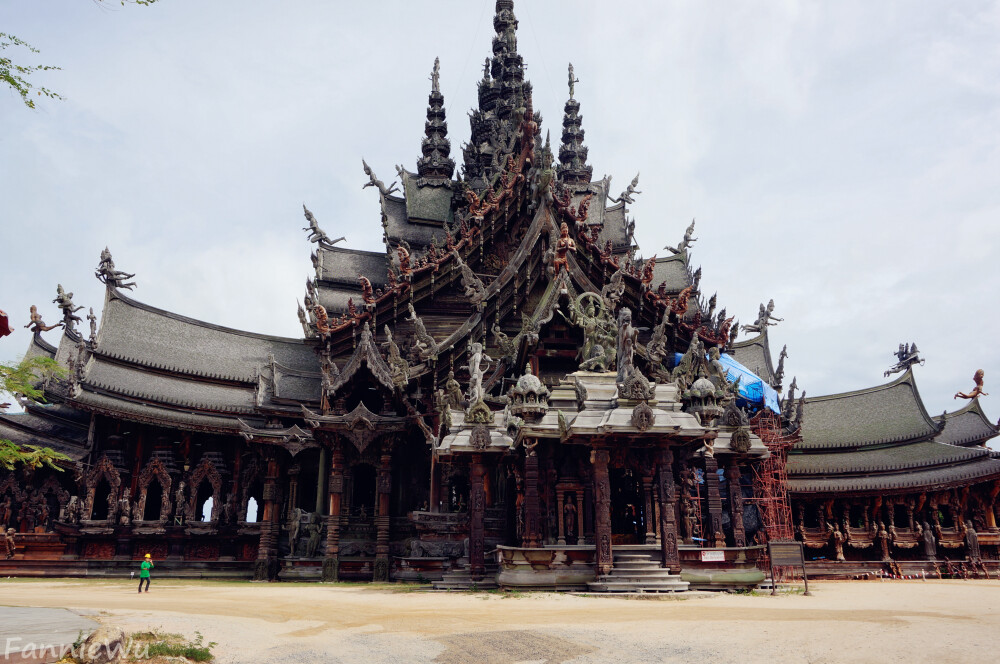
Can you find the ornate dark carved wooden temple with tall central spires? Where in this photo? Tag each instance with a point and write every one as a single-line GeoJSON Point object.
{"type": "Point", "coordinates": [507, 394]}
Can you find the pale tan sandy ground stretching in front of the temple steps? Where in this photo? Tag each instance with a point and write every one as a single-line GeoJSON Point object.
{"type": "Point", "coordinates": [891, 621]}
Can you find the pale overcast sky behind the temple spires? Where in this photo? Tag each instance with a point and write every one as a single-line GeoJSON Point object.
{"type": "Point", "coordinates": [840, 157]}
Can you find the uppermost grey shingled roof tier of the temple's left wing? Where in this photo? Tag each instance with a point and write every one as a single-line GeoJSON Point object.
{"type": "Point", "coordinates": [142, 335]}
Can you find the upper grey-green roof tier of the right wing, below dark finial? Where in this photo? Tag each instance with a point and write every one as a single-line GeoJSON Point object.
{"type": "Point", "coordinates": [888, 413]}
